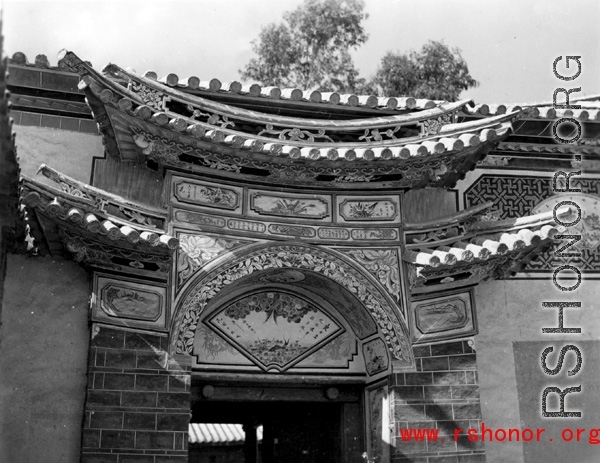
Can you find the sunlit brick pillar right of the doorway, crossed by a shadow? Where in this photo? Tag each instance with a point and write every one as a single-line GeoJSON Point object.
{"type": "Point", "coordinates": [443, 393]}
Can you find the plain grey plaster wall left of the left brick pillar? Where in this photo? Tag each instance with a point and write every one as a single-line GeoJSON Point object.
{"type": "Point", "coordinates": [44, 339]}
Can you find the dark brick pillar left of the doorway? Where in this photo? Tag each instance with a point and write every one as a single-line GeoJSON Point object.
{"type": "Point", "coordinates": [137, 408]}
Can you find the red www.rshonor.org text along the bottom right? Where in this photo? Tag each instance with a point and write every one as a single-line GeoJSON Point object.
{"type": "Point", "coordinates": [591, 436]}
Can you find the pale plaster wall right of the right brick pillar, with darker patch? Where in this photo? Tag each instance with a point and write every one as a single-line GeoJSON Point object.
{"type": "Point", "coordinates": [511, 379]}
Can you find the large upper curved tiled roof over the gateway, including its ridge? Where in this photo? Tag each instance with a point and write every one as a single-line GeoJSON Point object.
{"type": "Point", "coordinates": [420, 148]}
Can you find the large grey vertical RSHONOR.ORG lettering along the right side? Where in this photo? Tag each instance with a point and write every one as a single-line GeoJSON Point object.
{"type": "Point", "coordinates": [561, 184]}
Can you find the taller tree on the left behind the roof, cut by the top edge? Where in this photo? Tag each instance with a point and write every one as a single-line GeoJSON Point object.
{"type": "Point", "coordinates": [310, 49]}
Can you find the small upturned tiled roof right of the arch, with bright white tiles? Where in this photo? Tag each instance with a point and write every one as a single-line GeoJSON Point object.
{"type": "Point", "coordinates": [472, 243]}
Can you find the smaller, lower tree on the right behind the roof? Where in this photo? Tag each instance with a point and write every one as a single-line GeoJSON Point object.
{"type": "Point", "coordinates": [436, 72]}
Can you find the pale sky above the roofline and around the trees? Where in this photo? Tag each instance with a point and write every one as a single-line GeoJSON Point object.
{"type": "Point", "coordinates": [509, 45]}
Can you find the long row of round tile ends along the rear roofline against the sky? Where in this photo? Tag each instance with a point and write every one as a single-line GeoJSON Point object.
{"type": "Point", "coordinates": [590, 110]}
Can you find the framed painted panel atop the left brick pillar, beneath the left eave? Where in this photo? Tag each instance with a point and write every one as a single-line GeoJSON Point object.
{"type": "Point", "coordinates": [124, 302]}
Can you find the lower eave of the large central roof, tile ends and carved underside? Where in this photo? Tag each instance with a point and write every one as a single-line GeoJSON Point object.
{"type": "Point", "coordinates": [440, 161]}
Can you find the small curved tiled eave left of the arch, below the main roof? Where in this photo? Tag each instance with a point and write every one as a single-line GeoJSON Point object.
{"type": "Point", "coordinates": [84, 217]}
